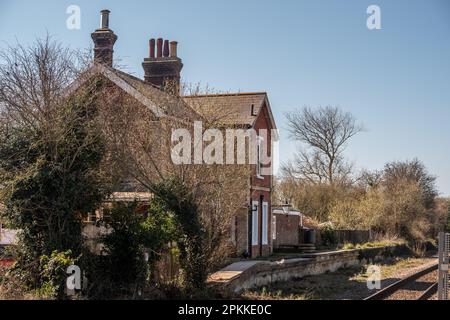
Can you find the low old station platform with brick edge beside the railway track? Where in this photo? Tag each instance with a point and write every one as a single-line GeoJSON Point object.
{"type": "Point", "coordinates": [259, 273]}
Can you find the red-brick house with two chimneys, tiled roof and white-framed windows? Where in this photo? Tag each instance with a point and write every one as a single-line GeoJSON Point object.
{"type": "Point", "coordinates": [251, 230]}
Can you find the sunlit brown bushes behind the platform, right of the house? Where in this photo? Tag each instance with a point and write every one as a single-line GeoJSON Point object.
{"type": "Point", "coordinates": [400, 200]}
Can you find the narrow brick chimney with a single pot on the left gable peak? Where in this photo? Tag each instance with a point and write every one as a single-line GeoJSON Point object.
{"type": "Point", "coordinates": [104, 39]}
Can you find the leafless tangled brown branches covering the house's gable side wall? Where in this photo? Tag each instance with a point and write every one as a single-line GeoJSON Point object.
{"type": "Point", "coordinates": [140, 148]}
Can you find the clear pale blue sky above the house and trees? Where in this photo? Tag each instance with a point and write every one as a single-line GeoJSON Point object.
{"type": "Point", "coordinates": [395, 80]}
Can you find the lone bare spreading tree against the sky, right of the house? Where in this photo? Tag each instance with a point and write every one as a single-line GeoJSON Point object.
{"type": "Point", "coordinates": [325, 132]}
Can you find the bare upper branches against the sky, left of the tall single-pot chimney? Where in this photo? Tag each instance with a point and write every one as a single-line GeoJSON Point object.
{"type": "Point", "coordinates": [33, 80]}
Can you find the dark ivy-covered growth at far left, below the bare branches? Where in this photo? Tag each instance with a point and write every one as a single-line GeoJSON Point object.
{"type": "Point", "coordinates": [50, 176]}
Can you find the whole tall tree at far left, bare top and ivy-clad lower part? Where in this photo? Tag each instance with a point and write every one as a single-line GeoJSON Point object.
{"type": "Point", "coordinates": [50, 152]}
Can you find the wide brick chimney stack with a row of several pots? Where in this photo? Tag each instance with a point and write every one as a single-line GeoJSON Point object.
{"type": "Point", "coordinates": [163, 67]}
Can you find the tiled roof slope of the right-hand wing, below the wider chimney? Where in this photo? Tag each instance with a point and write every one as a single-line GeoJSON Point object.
{"type": "Point", "coordinates": [233, 108]}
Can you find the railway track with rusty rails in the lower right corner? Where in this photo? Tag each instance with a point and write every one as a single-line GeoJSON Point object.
{"type": "Point", "coordinates": [420, 285]}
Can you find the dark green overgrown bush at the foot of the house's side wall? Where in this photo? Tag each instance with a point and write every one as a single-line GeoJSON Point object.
{"type": "Point", "coordinates": [131, 248]}
